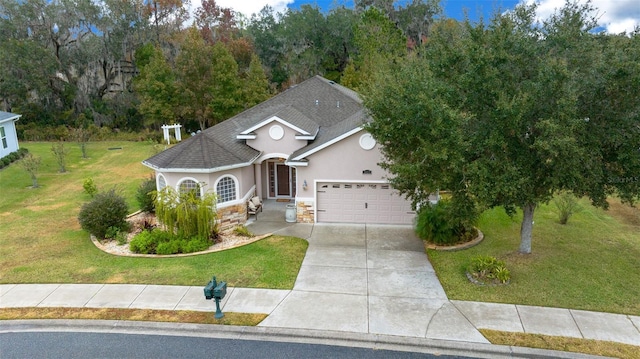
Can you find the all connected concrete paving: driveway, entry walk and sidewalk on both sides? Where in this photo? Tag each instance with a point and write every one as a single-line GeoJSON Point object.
{"type": "Point", "coordinates": [361, 279]}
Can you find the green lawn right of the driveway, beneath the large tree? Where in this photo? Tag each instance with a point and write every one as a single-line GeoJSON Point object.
{"type": "Point", "coordinates": [591, 263]}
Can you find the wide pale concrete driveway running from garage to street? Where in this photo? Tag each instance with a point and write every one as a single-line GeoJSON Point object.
{"type": "Point", "coordinates": [368, 279]}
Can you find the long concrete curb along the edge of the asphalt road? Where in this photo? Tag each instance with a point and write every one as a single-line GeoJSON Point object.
{"type": "Point", "coordinates": [348, 339]}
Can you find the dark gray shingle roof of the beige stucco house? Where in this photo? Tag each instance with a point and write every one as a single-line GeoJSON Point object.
{"type": "Point", "coordinates": [315, 105]}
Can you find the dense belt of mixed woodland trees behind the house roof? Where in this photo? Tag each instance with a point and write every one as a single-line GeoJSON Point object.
{"type": "Point", "coordinates": [76, 63]}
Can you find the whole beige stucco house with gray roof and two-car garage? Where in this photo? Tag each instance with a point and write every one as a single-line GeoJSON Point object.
{"type": "Point", "coordinates": [306, 144]}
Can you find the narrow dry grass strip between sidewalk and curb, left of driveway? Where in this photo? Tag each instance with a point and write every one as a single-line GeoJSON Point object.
{"type": "Point", "coordinates": [146, 315]}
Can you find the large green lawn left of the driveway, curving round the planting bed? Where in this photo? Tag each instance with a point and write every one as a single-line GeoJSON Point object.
{"type": "Point", "coordinates": [41, 240]}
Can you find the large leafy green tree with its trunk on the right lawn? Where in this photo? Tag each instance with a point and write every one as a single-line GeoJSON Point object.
{"type": "Point", "coordinates": [510, 112]}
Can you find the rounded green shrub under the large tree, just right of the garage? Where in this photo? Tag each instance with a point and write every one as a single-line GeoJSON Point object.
{"type": "Point", "coordinates": [446, 222]}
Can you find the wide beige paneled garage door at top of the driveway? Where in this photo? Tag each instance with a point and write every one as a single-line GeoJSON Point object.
{"type": "Point", "coordinates": [362, 203]}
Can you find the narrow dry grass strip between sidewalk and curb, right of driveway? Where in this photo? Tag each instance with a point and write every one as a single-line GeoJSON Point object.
{"type": "Point", "coordinates": [585, 346]}
